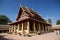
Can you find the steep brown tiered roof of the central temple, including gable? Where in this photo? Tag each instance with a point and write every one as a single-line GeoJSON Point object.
{"type": "Point", "coordinates": [28, 14]}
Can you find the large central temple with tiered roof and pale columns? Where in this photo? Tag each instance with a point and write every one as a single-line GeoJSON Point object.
{"type": "Point", "coordinates": [28, 21]}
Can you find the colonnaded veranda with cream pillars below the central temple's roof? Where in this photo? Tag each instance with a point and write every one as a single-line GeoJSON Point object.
{"type": "Point", "coordinates": [29, 26]}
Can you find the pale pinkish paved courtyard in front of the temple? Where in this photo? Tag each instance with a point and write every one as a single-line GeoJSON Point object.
{"type": "Point", "coordinates": [46, 36]}
